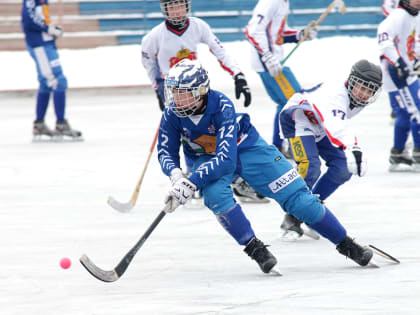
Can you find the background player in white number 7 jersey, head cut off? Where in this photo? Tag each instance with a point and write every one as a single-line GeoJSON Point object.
{"type": "Point", "coordinates": [267, 31]}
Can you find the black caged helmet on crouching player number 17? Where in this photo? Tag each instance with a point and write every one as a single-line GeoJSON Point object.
{"type": "Point", "coordinates": [364, 83]}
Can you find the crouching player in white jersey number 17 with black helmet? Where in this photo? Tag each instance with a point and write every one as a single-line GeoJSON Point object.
{"type": "Point", "coordinates": [317, 126]}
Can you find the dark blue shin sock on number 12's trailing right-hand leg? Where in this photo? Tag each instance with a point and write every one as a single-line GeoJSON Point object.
{"type": "Point", "coordinates": [329, 227]}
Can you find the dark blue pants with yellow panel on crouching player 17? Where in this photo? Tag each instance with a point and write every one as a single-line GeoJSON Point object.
{"type": "Point", "coordinates": [306, 152]}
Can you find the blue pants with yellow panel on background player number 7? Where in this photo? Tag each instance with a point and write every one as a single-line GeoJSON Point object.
{"type": "Point", "coordinates": [280, 89]}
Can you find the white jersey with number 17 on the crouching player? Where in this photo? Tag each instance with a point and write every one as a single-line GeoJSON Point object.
{"type": "Point", "coordinates": [324, 113]}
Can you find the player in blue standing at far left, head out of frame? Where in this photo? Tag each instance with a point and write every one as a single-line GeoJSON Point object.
{"type": "Point", "coordinates": [40, 36]}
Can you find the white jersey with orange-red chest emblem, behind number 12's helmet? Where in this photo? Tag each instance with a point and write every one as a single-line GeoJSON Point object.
{"type": "Point", "coordinates": [163, 47]}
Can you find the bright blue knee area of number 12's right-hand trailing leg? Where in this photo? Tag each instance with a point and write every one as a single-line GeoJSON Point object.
{"type": "Point", "coordinates": [305, 206]}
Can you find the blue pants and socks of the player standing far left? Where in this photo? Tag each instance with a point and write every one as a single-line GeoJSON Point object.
{"type": "Point", "coordinates": [51, 79]}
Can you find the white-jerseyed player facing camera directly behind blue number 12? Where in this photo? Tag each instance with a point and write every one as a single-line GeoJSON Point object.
{"type": "Point", "coordinates": [177, 38]}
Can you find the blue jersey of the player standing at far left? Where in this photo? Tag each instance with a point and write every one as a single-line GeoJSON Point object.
{"type": "Point", "coordinates": [35, 21]}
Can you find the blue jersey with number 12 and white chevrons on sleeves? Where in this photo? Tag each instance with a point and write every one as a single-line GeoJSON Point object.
{"type": "Point", "coordinates": [219, 132]}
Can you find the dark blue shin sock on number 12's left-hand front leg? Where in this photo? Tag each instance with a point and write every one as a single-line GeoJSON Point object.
{"type": "Point", "coordinates": [234, 221]}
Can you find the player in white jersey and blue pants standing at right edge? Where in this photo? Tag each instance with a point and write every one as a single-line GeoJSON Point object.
{"type": "Point", "coordinates": [397, 41]}
